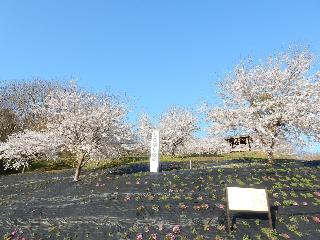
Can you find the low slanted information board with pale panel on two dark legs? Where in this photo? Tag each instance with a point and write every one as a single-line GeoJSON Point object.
{"type": "Point", "coordinates": [247, 200]}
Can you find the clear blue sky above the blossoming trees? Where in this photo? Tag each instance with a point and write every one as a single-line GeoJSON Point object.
{"type": "Point", "coordinates": [164, 52]}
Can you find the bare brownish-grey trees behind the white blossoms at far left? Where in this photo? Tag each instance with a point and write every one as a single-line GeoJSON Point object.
{"type": "Point", "coordinates": [17, 99]}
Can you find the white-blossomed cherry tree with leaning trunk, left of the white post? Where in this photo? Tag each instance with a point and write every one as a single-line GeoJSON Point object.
{"type": "Point", "coordinates": [90, 126]}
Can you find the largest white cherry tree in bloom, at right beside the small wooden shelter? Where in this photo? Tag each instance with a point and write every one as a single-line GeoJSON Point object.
{"type": "Point", "coordinates": [276, 100]}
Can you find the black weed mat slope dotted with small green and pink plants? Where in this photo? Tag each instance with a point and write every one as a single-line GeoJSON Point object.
{"type": "Point", "coordinates": [130, 203]}
